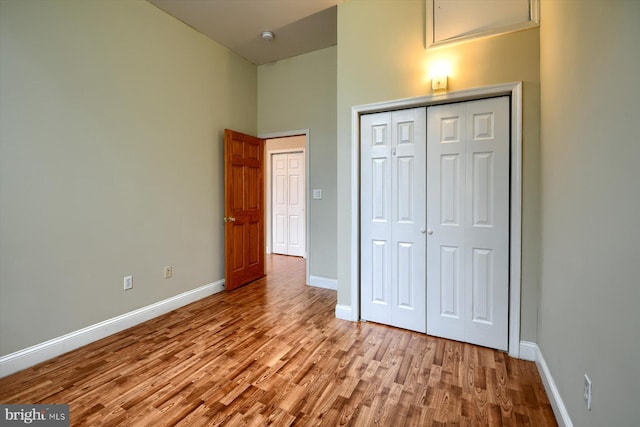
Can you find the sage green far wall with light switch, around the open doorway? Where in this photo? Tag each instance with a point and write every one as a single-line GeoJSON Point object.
{"type": "Point", "coordinates": [300, 93]}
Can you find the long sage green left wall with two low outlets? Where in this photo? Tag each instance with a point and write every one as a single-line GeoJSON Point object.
{"type": "Point", "coordinates": [111, 122]}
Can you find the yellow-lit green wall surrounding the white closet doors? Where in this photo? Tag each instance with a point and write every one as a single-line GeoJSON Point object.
{"type": "Point", "coordinates": [382, 56]}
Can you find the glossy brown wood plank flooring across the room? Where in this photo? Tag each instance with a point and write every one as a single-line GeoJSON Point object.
{"type": "Point", "coordinates": [273, 353]}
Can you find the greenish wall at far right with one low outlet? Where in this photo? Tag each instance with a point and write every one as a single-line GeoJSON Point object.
{"type": "Point", "coordinates": [590, 257]}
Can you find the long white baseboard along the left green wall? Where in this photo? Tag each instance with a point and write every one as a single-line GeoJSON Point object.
{"type": "Point", "coordinates": [33, 355]}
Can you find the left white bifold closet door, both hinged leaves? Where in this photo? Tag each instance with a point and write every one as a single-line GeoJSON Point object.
{"type": "Point", "coordinates": [393, 215]}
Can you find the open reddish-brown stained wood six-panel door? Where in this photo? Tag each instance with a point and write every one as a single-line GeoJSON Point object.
{"type": "Point", "coordinates": [244, 208]}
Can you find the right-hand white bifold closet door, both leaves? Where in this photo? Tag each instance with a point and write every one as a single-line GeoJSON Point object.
{"type": "Point", "coordinates": [468, 221]}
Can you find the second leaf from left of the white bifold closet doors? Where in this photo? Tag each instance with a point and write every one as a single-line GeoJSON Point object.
{"type": "Point", "coordinates": [408, 219]}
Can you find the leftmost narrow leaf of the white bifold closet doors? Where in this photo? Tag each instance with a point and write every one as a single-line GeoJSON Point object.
{"type": "Point", "coordinates": [375, 218]}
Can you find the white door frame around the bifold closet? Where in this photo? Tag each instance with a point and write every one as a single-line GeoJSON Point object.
{"type": "Point", "coordinates": [514, 90]}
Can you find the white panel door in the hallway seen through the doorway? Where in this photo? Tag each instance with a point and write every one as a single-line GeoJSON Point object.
{"type": "Point", "coordinates": [288, 203]}
